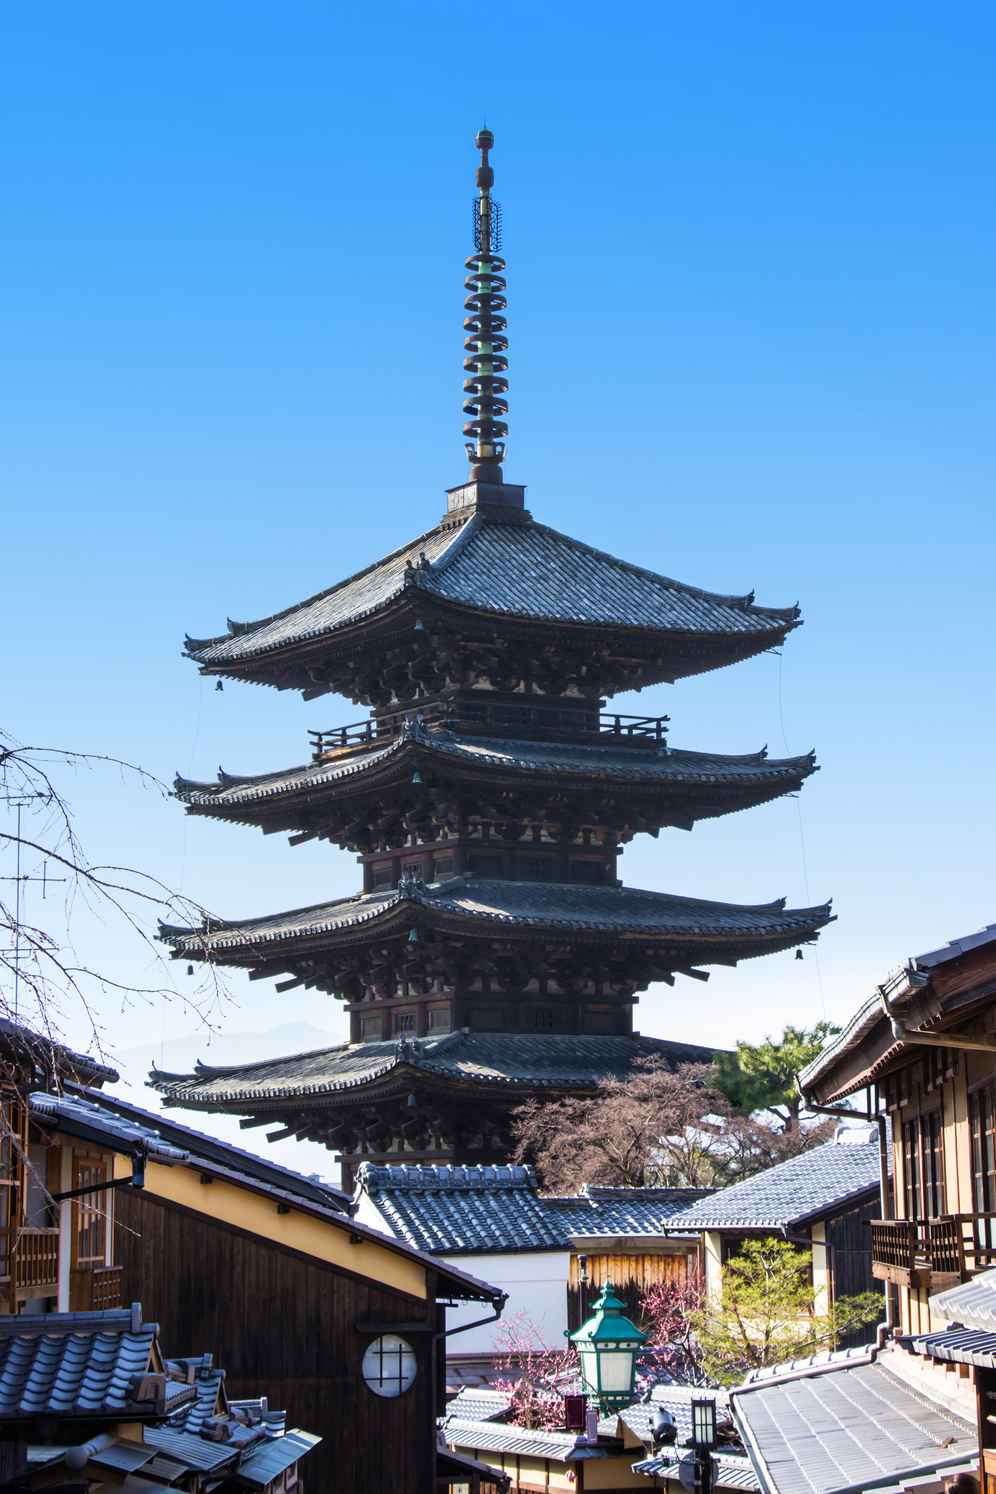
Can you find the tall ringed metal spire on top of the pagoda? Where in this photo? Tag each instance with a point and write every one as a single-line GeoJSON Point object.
{"type": "Point", "coordinates": [486, 343]}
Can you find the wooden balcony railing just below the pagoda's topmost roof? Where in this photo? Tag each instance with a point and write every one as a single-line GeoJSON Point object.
{"type": "Point", "coordinates": [499, 716]}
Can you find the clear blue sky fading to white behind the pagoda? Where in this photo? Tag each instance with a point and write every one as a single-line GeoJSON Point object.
{"type": "Point", "coordinates": [750, 283]}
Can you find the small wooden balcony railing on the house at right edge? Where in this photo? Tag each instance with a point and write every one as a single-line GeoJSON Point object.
{"type": "Point", "coordinates": [934, 1254]}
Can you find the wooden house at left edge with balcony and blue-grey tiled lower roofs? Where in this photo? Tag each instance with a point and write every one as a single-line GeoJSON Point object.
{"type": "Point", "coordinates": [86, 1392]}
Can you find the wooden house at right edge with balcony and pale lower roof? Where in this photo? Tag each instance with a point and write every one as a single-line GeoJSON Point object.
{"type": "Point", "coordinates": [921, 1056]}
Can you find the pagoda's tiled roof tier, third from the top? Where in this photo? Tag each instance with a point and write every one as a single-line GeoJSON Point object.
{"type": "Point", "coordinates": [520, 905]}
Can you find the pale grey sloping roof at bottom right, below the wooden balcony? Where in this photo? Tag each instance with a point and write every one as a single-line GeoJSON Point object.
{"type": "Point", "coordinates": [847, 1431]}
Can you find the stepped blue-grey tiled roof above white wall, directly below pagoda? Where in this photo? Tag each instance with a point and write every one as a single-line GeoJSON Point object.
{"type": "Point", "coordinates": [476, 1211]}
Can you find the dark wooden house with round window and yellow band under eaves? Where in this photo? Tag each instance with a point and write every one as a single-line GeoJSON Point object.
{"type": "Point", "coordinates": [337, 1323]}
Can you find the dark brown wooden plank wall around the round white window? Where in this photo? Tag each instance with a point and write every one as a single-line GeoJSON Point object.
{"type": "Point", "coordinates": [283, 1326]}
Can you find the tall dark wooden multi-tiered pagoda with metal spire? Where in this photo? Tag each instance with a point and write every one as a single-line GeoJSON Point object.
{"type": "Point", "coordinates": [492, 955]}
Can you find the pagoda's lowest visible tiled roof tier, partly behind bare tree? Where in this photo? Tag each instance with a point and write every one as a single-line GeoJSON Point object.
{"type": "Point", "coordinates": [480, 1058]}
